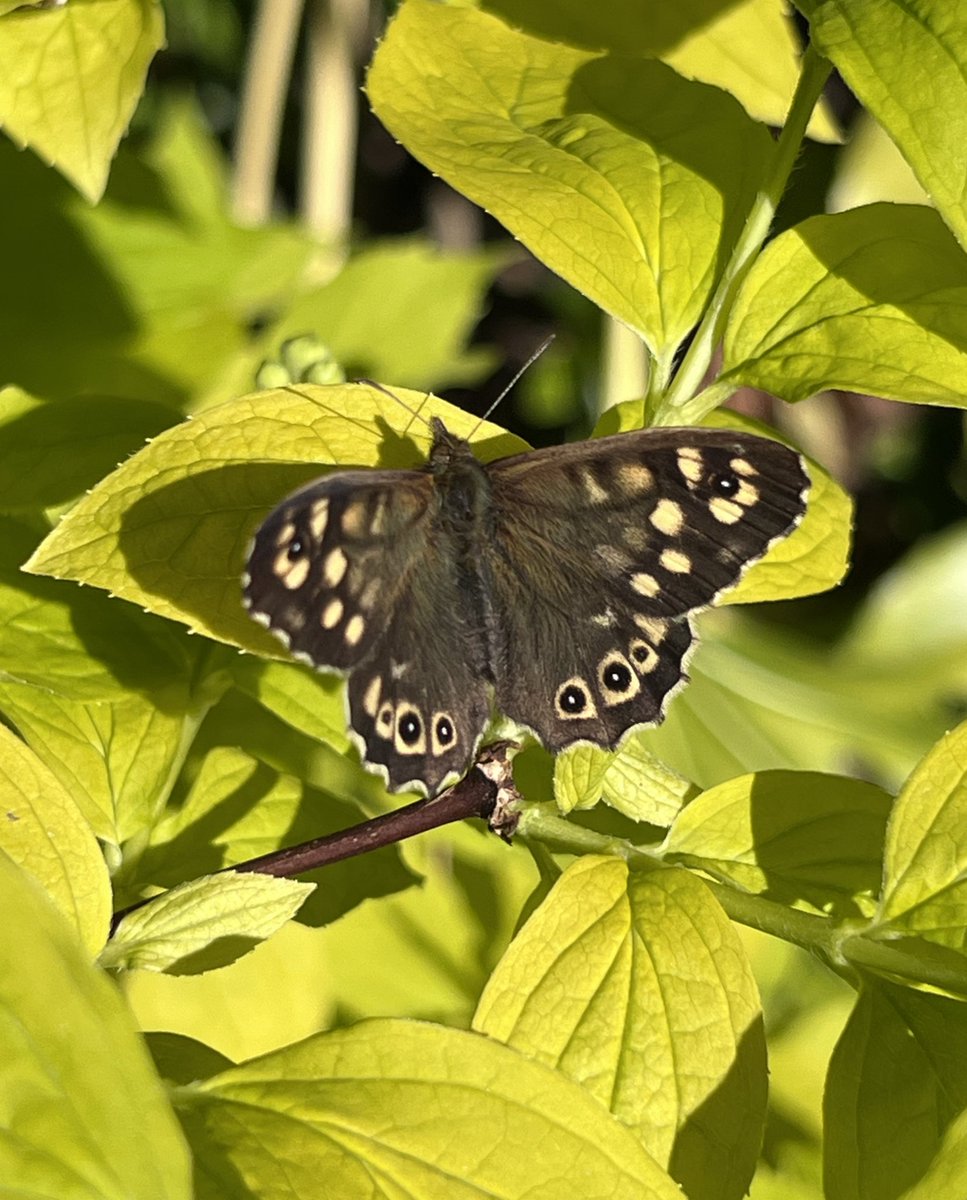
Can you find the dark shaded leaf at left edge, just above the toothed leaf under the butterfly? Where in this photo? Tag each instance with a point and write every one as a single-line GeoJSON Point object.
{"type": "Point", "coordinates": [51, 454]}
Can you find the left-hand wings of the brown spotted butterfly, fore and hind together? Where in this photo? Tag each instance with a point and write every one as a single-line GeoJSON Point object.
{"type": "Point", "coordinates": [356, 574]}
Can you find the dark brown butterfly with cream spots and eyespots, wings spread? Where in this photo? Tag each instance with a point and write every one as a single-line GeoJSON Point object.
{"type": "Point", "coordinates": [558, 585]}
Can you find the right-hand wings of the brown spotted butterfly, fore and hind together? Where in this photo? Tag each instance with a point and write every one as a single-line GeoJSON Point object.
{"type": "Point", "coordinates": [602, 551]}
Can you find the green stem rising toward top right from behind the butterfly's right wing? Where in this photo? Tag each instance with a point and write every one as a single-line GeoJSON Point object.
{"type": "Point", "coordinates": [681, 405]}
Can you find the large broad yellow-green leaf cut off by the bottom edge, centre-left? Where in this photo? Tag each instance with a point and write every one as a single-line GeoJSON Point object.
{"type": "Point", "coordinates": [392, 1108]}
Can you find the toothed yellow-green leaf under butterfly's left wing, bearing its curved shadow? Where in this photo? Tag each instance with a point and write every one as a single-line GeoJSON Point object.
{"type": "Point", "coordinates": [170, 529]}
